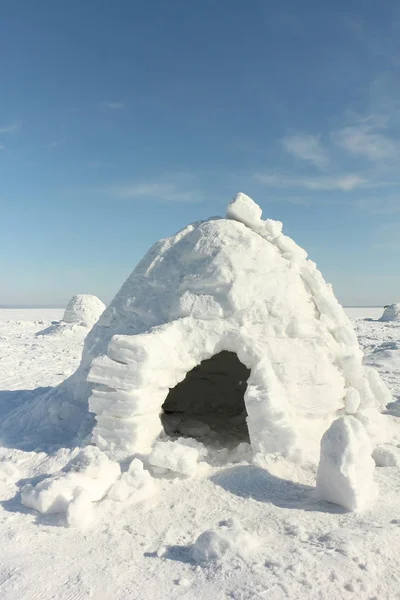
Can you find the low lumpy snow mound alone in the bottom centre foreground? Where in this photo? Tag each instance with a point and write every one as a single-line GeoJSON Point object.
{"type": "Point", "coordinates": [227, 542]}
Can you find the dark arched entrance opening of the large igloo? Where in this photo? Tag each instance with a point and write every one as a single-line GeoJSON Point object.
{"type": "Point", "coordinates": [209, 403]}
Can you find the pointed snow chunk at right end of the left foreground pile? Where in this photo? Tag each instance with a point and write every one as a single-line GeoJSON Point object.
{"type": "Point", "coordinates": [133, 486]}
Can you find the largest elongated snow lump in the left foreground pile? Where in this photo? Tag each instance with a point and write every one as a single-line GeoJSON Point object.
{"type": "Point", "coordinates": [90, 471]}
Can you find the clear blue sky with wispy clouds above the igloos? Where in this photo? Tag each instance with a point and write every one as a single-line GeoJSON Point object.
{"type": "Point", "coordinates": [120, 122]}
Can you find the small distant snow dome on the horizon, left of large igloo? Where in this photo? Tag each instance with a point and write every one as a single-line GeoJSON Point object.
{"type": "Point", "coordinates": [82, 311]}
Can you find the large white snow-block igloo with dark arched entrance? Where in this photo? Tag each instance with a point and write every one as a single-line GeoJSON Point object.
{"type": "Point", "coordinates": [225, 330]}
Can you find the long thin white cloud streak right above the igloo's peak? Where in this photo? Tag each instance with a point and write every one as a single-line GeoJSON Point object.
{"type": "Point", "coordinates": [344, 183]}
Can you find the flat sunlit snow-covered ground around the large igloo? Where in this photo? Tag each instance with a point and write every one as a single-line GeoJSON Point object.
{"type": "Point", "coordinates": [234, 531]}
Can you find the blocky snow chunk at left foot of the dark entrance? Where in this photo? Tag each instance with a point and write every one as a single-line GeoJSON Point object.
{"type": "Point", "coordinates": [175, 457]}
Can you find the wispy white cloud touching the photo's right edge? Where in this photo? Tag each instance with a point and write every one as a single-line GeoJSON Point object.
{"type": "Point", "coordinates": [367, 141]}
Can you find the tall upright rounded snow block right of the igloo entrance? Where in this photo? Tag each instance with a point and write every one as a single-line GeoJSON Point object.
{"type": "Point", "coordinates": [346, 469]}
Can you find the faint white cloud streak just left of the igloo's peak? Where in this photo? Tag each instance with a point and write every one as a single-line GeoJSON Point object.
{"type": "Point", "coordinates": [163, 191]}
